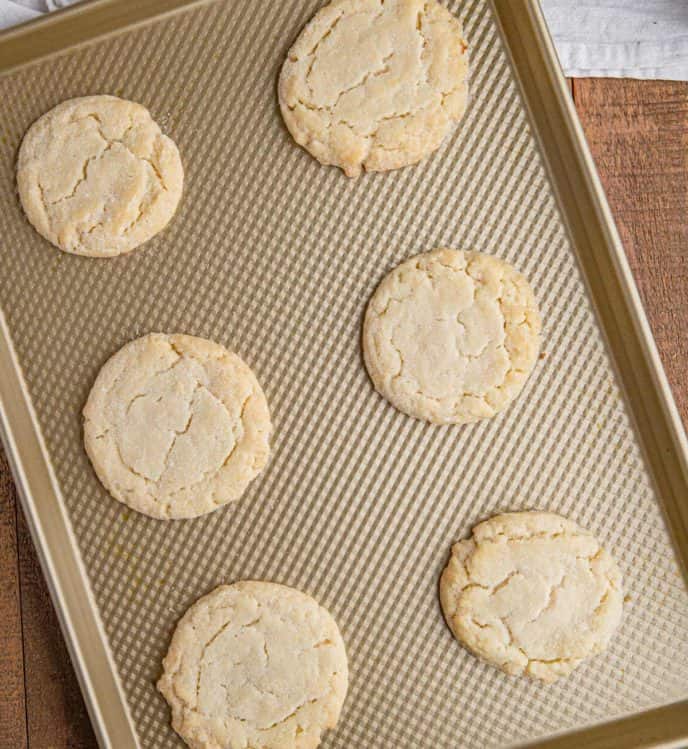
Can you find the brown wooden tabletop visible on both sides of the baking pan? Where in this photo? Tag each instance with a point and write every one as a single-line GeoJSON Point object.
{"type": "Point", "coordinates": [638, 133]}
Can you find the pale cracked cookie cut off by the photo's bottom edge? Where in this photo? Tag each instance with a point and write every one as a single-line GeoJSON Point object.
{"type": "Point", "coordinates": [255, 665]}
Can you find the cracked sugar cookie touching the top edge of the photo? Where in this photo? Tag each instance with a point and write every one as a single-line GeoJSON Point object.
{"type": "Point", "coordinates": [375, 85]}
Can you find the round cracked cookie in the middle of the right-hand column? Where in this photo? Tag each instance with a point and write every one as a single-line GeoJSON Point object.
{"type": "Point", "coordinates": [451, 337]}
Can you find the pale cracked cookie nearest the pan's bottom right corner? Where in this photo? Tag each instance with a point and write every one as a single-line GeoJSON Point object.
{"type": "Point", "coordinates": [532, 593]}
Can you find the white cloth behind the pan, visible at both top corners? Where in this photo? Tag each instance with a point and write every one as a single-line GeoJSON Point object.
{"type": "Point", "coordinates": [616, 38]}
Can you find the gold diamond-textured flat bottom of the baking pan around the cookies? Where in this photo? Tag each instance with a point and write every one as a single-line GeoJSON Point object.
{"type": "Point", "coordinates": [276, 257]}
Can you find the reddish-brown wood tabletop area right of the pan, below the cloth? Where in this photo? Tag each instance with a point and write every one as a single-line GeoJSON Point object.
{"type": "Point", "coordinates": [638, 135]}
